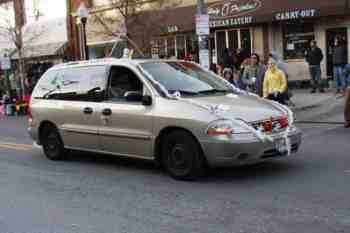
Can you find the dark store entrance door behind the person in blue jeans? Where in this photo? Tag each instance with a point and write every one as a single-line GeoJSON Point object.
{"type": "Point", "coordinates": [331, 34]}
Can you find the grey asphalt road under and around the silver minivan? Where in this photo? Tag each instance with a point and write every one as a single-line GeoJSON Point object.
{"type": "Point", "coordinates": [308, 192]}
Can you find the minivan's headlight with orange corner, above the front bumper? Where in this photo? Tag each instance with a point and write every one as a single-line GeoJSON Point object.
{"type": "Point", "coordinates": [225, 128]}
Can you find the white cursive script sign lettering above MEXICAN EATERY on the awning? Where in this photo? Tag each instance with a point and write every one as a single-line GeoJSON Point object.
{"type": "Point", "coordinates": [232, 8]}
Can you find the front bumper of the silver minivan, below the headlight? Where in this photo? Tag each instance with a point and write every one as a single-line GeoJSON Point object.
{"type": "Point", "coordinates": [250, 150]}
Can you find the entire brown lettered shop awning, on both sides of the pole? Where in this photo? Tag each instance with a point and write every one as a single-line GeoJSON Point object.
{"type": "Point", "coordinates": [235, 13]}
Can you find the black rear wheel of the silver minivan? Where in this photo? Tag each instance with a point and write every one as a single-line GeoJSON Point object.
{"type": "Point", "coordinates": [53, 146]}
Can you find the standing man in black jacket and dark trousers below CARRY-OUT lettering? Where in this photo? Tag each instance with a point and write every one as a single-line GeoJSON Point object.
{"type": "Point", "coordinates": [314, 57]}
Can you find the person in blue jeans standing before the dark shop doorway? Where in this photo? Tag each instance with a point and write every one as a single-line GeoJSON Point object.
{"type": "Point", "coordinates": [339, 60]}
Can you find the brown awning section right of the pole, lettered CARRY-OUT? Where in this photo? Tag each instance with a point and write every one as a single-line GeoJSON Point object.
{"type": "Point", "coordinates": [239, 12]}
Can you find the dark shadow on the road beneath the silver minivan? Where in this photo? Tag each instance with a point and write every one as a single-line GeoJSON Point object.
{"type": "Point", "coordinates": [263, 171]}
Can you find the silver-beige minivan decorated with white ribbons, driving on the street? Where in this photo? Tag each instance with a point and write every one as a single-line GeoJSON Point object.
{"type": "Point", "coordinates": [173, 112]}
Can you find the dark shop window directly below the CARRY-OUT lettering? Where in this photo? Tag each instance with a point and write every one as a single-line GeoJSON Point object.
{"type": "Point", "coordinates": [296, 39]}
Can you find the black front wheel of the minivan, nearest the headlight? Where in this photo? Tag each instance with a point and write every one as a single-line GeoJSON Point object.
{"type": "Point", "coordinates": [182, 156]}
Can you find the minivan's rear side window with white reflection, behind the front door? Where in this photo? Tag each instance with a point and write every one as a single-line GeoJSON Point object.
{"type": "Point", "coordinates": [74, 84]}
